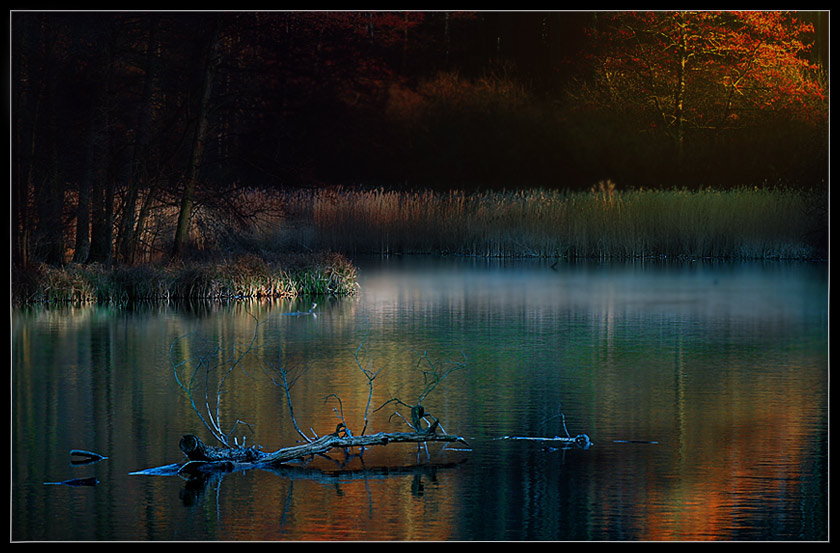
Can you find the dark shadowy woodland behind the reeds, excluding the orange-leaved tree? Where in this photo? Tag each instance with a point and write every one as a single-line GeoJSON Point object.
{"type": "Point", "coordinates": [107, 106]}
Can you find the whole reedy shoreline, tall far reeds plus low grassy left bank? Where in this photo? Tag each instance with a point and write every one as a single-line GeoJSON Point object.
{"type": "Point", "coordinates": [335, 225]}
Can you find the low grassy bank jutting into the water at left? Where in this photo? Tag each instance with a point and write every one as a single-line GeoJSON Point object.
{"type": "Point", "coordinates": [243, 276]}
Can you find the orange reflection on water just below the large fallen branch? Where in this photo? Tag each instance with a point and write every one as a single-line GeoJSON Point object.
{"type": "Point", "coordinates": [332, 507]}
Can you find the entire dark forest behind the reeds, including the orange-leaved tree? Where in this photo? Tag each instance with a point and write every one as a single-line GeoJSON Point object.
{"type": "Point", "coordinates": [145, 136]}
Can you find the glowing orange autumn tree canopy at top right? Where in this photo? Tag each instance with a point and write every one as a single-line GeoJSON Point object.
{"type": "Point", "coordinates": [707, 70]}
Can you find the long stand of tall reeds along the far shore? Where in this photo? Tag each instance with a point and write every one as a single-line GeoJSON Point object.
{"type": "Point", "coordinates": [600, 223]}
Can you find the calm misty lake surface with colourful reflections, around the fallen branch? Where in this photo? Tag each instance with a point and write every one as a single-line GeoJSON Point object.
{"type": "Point", "coordinates": [704, 388]}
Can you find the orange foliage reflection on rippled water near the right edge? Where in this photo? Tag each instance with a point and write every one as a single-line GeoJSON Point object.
{"type": "Point", "coordinates": [747, 453]}
